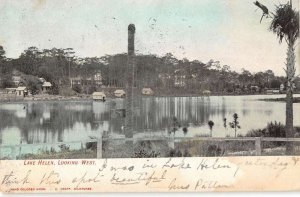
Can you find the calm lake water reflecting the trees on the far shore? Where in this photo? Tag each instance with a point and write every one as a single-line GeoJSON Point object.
{"type": "Point", "coordinates": [66, 121]}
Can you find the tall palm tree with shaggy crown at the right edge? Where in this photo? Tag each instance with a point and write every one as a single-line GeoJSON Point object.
{"type": "Point", "coordinates": [285, 24]}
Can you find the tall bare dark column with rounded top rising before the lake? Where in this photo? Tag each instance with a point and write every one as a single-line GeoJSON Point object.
{"type": "Point", "coordinates": [130, 83]}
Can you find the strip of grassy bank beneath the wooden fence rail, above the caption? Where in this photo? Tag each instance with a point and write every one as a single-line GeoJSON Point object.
{"type": "Point", "coordinates": [189, 148]}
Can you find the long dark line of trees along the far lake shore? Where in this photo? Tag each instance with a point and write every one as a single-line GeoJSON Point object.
{"type": "Point", "coordinates": [165, 73]}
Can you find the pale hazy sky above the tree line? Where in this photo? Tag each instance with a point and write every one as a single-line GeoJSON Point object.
{"type": "Point", "coordinates": [224, 30]}
